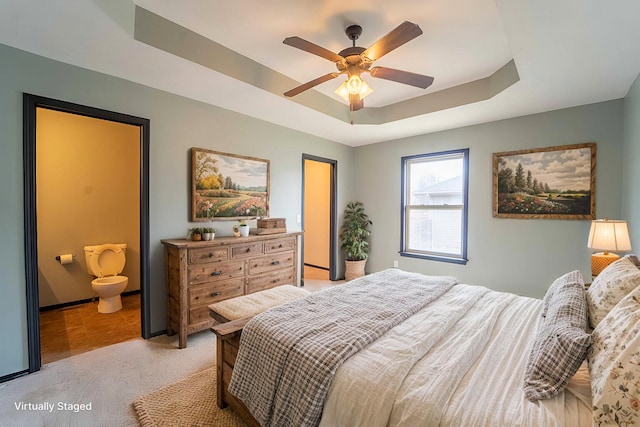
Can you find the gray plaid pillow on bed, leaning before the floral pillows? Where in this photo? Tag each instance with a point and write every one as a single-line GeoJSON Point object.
{"type": "Point", "coordinates": [561, 342]}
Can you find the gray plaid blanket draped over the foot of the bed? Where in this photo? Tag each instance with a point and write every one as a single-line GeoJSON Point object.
{"type": "Point", "coordinates": [288, 355]}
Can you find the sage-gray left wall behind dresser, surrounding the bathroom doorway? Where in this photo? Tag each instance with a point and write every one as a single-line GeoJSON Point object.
{"type": "Point", "coordinates": [177, 124]}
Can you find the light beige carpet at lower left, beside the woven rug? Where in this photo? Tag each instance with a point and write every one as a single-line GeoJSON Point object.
{"type": "Point", "coordinates": [109, 379]}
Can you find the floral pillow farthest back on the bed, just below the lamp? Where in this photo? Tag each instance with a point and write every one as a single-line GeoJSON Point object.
{"type": "Point", "coordinates": [610, 286]}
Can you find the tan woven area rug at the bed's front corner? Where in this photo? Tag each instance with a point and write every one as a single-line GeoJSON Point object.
{"type": "Point", "coordinates": [188, 402]}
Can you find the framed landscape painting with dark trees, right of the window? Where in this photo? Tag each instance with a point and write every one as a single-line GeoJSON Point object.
{"type": "Point", "coordinates": [549, 183]}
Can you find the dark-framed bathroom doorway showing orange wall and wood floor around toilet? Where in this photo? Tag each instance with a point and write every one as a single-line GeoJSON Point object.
{"type": "Point", "coordinates": [90, 170]}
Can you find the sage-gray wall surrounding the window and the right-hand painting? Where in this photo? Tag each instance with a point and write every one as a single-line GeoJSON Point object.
{"type": "Point", "coordinates": [514, 255]}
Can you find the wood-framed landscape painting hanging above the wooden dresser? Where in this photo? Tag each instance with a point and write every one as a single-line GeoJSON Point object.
{"type": "Point", "coordinates": [228, 186]}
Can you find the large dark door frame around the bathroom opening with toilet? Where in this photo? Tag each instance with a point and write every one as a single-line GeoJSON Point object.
{"type": "Point", "coordinates": [30, 104]}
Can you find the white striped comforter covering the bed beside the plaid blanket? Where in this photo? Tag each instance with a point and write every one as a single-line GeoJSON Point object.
{"type": "Point", "coordinates": [458, 362]}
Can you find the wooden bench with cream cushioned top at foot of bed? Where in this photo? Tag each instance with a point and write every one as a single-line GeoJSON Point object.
{"type": "Point", "coordinates": [234, 314]}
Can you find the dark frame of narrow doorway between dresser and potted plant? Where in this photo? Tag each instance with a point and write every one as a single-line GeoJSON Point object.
{"type": "Point", "coordinates": [333, 214]}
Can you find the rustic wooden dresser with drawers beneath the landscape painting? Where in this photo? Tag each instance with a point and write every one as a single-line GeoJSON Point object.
{"type": "Point", "coordinates": [204, 272]}
